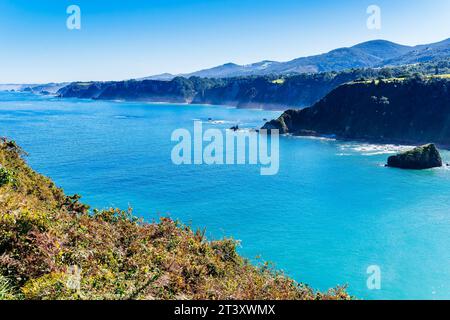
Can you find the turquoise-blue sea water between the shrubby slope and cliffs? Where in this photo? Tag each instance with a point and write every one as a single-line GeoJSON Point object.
{"type": "Point", "coordinates": [332, 210]}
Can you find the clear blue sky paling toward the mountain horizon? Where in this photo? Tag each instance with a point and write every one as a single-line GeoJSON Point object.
{"type": "Point", "coordinates": [121, 39]}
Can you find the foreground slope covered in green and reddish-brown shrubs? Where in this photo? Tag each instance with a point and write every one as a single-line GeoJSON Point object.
{"type": "Point", "coordinates": [44, 234]}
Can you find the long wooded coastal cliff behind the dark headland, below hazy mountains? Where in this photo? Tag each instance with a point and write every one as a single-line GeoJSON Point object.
{"type": "Point", "coordinates": [266, 92]}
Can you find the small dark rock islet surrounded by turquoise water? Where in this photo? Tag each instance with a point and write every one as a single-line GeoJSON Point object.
{"type": "Point", "coordinates": [423, 157]}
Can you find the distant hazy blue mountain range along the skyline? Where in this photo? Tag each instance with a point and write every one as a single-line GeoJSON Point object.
{"type": "Point", "coordinates": [376, 53]}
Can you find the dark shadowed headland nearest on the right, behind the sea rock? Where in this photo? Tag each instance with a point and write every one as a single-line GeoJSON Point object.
{"type": "Point", "coordinates": [413, 110]}
